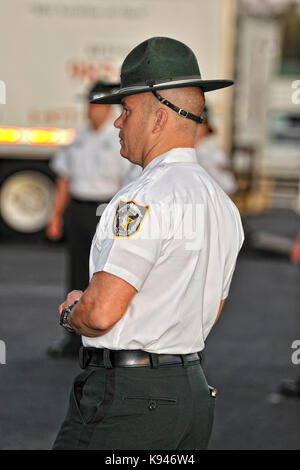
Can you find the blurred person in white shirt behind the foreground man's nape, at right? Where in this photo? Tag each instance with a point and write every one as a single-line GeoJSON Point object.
{"type": "Point", "coordinates": [213, 160]}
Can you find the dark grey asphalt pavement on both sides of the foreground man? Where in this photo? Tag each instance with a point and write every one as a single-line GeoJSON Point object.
{"type": "Point", "coordinates": [247, 354]}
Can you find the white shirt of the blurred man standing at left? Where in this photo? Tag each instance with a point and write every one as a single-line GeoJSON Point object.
{"type": "Point", "coordinates": [92, 163]}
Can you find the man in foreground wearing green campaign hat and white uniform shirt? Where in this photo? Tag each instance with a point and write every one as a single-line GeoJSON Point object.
{"type": "Point", "coordinates": [161, 264]}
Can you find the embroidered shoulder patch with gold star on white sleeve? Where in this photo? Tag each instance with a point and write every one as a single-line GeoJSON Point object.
{"type": "Point", "coordinates": [128, 218]}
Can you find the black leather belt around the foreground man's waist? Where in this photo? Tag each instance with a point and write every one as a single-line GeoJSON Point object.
{"type": "Point", "coordinates": [95, 357]}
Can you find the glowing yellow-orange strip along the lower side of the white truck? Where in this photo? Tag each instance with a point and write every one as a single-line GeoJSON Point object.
{"type": "Point", "coordinates": [35, 136]}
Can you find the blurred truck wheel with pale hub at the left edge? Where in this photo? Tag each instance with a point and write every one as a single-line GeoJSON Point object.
{"type": "Point", "coordinates": [26, 193]}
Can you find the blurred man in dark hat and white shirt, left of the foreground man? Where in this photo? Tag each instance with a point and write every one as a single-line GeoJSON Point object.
{"type": "Point", "coordinates": [89, 172]}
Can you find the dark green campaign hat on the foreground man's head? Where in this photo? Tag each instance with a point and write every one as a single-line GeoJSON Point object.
{"type": "Point", "coordinates": [156, 64]}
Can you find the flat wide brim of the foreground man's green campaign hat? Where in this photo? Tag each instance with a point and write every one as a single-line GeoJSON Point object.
{"type": "Point", "coordinates": [116, 96]}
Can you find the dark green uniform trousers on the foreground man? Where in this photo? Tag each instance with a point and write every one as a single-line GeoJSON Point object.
{"type": "Point", "coordinates": [140, 408]}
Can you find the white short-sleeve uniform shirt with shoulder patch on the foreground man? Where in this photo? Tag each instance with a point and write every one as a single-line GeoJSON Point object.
{"type": "Point", "coordinates": [174, 235]}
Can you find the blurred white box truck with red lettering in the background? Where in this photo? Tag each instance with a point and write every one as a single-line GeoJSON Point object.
{"type": "Point", "coordinates": [50, 53]}
